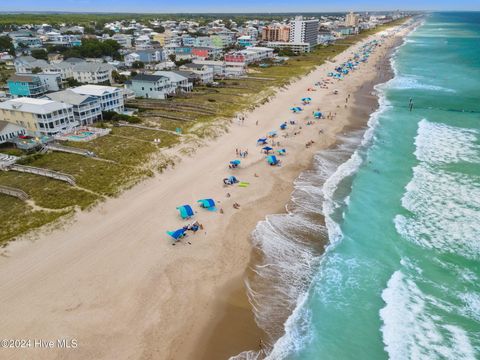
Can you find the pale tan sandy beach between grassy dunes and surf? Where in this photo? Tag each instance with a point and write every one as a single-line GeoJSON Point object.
{"type": "Point", "coordinates": [111, 279]}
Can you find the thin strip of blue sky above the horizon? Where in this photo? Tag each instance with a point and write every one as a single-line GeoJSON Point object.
{"type": "Point", "coordinates": [171, 6]}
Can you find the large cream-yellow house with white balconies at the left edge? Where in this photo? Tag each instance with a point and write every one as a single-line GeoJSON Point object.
{"type": "Point", "coordinates": [39, 116]}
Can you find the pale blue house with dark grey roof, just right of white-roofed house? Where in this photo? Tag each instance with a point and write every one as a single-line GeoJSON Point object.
{"type": "Point", "coordinates": [150, 86]}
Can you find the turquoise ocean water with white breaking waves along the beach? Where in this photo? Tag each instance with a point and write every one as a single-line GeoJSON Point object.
{"type": "Point", "coordinates": [400, 277]}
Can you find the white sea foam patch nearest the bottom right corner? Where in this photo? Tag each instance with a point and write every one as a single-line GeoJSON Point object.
{"type": "Point", "coordinates": [410, 332]}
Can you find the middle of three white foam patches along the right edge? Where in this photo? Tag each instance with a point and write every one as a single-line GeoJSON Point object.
{"type": "Point", "coordinates": [445, 211]}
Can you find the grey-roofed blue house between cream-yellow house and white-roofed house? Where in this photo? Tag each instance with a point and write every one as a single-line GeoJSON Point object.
{"type": "Point", "coordinates": [86, 108]}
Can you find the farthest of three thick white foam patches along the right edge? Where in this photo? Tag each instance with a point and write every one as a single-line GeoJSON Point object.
{"type": "Point", "coordinates": [439, 143]}
